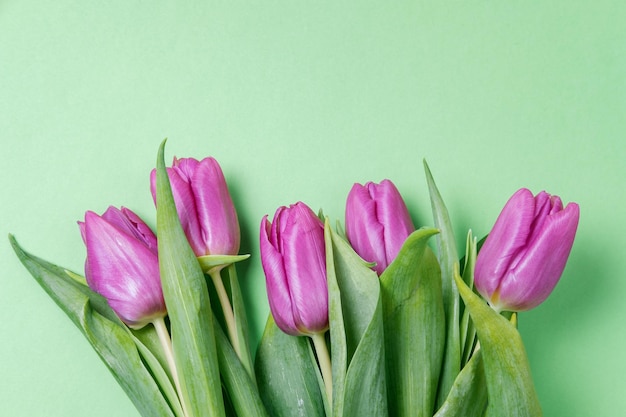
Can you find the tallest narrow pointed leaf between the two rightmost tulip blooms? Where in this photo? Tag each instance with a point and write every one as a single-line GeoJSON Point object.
{"type": "Point", "coordinates": [448, 258]}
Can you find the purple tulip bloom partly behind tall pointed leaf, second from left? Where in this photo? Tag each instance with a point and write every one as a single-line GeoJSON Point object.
{"type": "Point", "coordinates": [204, 206]}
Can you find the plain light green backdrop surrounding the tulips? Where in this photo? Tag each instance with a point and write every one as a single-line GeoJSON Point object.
{"type": "Point", "coordinates": [298, 100]}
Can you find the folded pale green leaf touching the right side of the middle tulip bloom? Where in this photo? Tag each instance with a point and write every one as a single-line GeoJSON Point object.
{"type": "Point", "coordinates": [356, 308]}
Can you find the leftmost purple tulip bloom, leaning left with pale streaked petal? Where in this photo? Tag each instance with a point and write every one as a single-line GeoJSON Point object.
{"type": "Point", "coordinates": [122, 265]}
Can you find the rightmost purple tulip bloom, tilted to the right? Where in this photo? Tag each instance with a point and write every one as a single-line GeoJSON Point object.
{"type": "Point", "coordinates": [525, 254]}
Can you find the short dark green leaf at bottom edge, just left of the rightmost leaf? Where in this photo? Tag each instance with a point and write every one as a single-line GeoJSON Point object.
{"type": "Point", "coordinates": [468, 396]}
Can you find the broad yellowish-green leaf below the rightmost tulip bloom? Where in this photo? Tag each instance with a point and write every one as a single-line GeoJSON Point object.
{"type": "Point", "coordinates": [509, 384]}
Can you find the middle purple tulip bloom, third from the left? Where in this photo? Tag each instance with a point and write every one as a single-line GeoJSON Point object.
{"type": "Point", "coordinates": [294, 260]}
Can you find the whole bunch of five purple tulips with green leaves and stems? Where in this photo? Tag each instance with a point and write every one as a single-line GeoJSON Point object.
{"type": "Point", "coordinates": [373, 318]}
